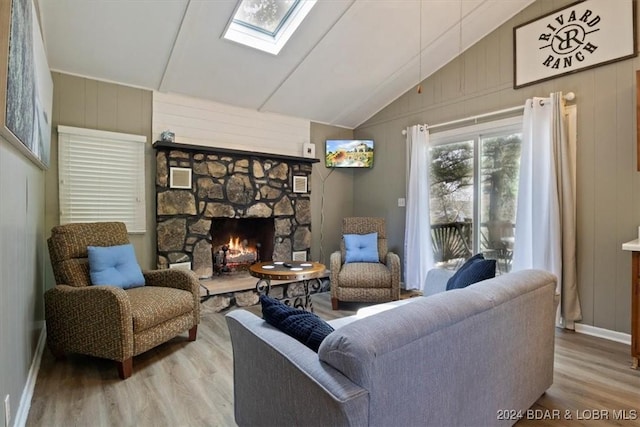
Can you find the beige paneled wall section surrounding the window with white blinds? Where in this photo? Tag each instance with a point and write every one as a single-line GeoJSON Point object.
{"type": "Point", "coordinates": [91, 104]}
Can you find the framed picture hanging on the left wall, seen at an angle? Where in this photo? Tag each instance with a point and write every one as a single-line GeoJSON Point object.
{"type": "Point", "coordinates": [26, 87]}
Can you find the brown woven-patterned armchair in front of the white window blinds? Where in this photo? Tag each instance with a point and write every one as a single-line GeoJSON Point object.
{"type": "Point", "coordinates": [108, 321]}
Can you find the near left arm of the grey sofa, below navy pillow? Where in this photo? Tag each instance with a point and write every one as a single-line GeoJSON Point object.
{"type": "Point", "coordinates": [267, 362]}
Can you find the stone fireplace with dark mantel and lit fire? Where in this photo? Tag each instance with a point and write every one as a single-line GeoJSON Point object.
{"type": "Point", "coordinates": [222, 188]}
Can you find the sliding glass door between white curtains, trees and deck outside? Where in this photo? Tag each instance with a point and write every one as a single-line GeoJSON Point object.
{"type": "Point", "coordinates": [473, 192]}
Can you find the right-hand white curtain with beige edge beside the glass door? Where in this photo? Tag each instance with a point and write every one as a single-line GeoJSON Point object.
{"type": "Point", "coordinates": [545, 218]}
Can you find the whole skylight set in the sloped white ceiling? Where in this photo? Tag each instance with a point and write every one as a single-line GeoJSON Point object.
{"type": "Point", "coordinates": [267, 24]}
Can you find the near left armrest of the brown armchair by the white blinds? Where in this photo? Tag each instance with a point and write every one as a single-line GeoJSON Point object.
{"type": "Point", "coordinates": [93, 320]}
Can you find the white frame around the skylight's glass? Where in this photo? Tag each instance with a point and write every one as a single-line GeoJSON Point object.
{"type": "Point", "coordinates": [264, 40]}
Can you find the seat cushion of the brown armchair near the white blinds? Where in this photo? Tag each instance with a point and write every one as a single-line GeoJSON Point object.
{"type": "Point", "coordinates": [153, 305]}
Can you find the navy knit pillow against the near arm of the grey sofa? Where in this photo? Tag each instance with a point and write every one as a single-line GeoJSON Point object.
{"type": "Point", "coordinates": [302, 325]}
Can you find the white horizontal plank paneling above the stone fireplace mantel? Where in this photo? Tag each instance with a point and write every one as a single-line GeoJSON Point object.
{"type": "Point", "coordinates": [201, 122]}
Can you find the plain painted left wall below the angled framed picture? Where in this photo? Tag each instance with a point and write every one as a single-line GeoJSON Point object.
{"type": "Point", "coordinates": [22, 254]}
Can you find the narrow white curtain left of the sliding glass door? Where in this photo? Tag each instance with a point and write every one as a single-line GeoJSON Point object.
{"type": "Point", "coordinates": [418, 253]}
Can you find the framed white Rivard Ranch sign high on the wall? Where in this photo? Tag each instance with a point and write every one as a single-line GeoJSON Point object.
{"type": "Point", "coordinates": [580, 36]}
